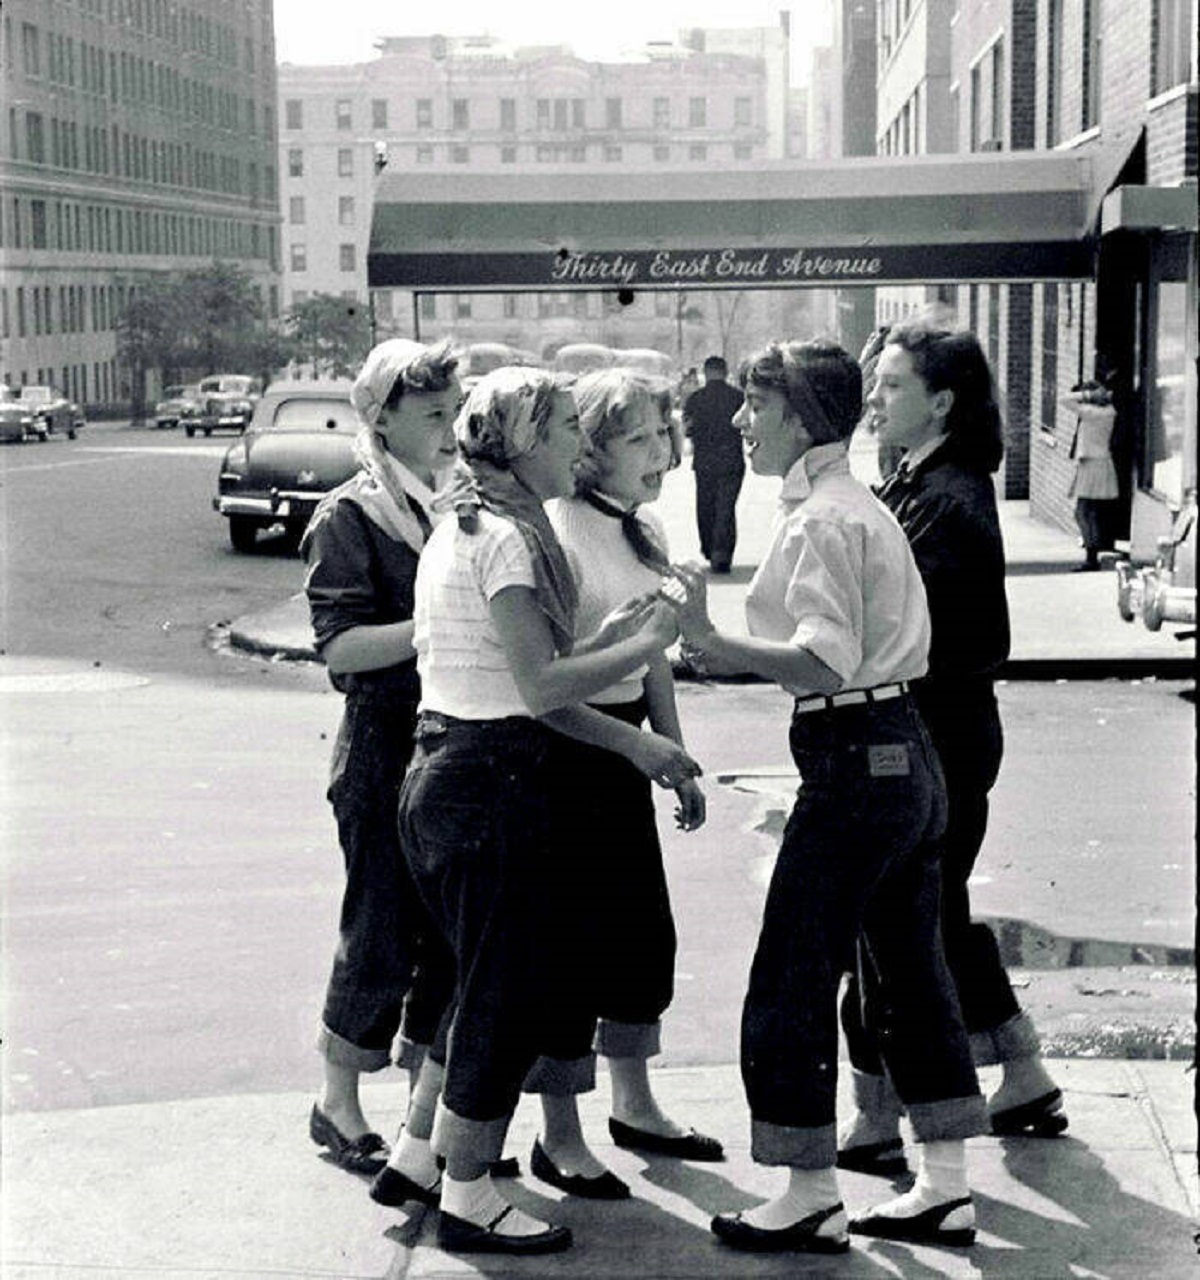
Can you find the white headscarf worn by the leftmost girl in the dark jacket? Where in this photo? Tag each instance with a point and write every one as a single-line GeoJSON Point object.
{"type": "Point", "coordinates": [384, 487]}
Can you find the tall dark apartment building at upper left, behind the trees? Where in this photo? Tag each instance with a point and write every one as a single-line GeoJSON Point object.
{"type": "Point", "coordinates": [139, 139]}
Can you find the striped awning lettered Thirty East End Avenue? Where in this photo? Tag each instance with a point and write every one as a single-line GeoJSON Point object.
{"type": "Point", "coordinates": [869, 221]}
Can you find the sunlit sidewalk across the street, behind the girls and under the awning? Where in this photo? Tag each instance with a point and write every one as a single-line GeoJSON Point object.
{"type": "Point", "coordinates": [1065, 625]}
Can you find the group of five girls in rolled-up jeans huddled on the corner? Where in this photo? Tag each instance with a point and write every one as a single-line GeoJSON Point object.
{"type": "Point", "coordinates": [493, 595]}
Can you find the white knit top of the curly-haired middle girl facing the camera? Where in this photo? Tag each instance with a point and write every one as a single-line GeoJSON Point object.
{"type": "Point", "coordinates": [607, 574]}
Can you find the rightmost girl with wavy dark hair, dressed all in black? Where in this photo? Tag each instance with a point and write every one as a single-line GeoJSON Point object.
{"type": "Point", "coordinates": [935, 399]}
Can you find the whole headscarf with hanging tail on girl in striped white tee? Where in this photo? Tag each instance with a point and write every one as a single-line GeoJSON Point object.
{"type": "Point", "coordinates": [501, 423]}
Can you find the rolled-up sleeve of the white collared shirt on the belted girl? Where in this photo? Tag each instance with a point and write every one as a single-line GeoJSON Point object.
{"type": "Point", "coordinates": [825, 595]}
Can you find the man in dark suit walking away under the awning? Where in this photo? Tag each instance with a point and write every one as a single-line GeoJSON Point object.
{"type": "Point", "coordinates": [718, 461]}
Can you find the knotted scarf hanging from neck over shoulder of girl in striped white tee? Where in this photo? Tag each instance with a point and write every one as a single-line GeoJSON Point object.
{"type": "Point", "coordinates": [480, 483]}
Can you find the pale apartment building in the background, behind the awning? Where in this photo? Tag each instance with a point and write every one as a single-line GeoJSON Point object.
{"type": "Point", "coordinates": [442, 104]}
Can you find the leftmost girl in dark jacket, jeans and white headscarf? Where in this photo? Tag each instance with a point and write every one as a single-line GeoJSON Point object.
{"type": "Point", "coordinates": [363, 547]}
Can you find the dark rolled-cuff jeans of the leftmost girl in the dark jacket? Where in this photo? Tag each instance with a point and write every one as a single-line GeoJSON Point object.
{"type": "Point", "coordinates": [391, 972]}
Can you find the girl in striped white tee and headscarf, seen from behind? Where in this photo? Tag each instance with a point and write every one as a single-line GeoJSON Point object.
{"type": "Point", "coordinates": [496, 619]}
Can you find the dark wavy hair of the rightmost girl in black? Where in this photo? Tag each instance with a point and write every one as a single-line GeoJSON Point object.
{"type": "Point", "coordinates": [954, 360]}
